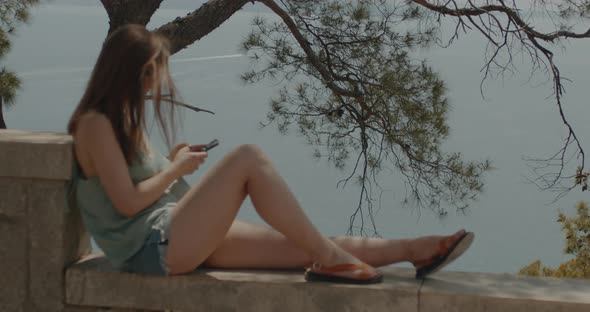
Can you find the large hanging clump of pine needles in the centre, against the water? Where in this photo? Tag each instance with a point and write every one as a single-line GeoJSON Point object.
{"type": "Point", "coordinates": [384, 109]}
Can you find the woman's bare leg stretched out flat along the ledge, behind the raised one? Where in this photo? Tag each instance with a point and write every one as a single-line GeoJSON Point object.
{"type": "Point", "coordinates": [254, 246]}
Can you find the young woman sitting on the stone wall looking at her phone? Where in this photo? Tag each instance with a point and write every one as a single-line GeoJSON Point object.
{"type": "Point", "coordinates": [147, 220]}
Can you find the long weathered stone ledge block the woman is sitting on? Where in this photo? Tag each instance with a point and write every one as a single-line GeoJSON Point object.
{"type": "Point", "coordinates": [95, 283]}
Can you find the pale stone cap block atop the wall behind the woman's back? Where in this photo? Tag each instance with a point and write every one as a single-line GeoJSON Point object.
{"type": "Point", "coordinates": [40, 155]}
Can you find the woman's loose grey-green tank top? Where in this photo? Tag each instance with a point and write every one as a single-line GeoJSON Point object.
{"type": "Point", "coordinates": [120, 237]}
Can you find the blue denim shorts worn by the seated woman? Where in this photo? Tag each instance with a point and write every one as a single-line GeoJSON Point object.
{"type": "Point", "coordinates": [151, 258]}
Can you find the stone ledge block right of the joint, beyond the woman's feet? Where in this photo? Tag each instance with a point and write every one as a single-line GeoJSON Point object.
{"type": "Point", "coordinates": [474, 292]}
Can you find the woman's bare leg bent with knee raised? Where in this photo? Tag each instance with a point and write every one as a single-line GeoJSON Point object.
{"type": "Point", "coordinates": [201, 220]}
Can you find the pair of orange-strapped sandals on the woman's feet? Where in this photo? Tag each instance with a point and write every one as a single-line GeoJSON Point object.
{"type": "Point", "coordinates": [450, 248]}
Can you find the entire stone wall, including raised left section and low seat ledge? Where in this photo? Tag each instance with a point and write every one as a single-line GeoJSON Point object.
{"type": "Point", "coordinates": [40, 239]}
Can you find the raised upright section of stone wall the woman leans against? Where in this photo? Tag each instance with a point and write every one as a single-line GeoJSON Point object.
{"type": "Point", "coordinates": [39, 236]}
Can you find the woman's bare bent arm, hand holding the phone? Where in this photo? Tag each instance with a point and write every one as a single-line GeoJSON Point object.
{"type": "Point", "coordinates": [96, 138]}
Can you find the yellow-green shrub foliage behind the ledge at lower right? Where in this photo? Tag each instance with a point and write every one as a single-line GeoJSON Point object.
{"type": "Point", "coordinates": [577, 237]}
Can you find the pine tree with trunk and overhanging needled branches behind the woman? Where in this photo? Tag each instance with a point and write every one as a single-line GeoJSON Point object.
{"type": "Point", "coordinates": [351, 83]}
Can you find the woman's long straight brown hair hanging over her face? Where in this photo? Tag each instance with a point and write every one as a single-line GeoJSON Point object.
{"type": "Point", "coordinates": [130, 57]}
